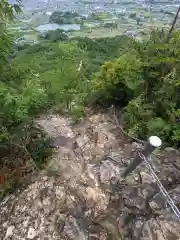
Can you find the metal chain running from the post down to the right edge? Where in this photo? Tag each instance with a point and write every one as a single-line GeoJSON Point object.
{"type": "Point", "coordinates": [162, 189]}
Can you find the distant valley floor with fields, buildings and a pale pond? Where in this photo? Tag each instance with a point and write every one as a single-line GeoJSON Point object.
{"type": "Point", "coordinates": [133, 18]}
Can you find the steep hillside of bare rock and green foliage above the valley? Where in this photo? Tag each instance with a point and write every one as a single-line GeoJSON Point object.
{"type": "Point", "coordinates": [73, 113]}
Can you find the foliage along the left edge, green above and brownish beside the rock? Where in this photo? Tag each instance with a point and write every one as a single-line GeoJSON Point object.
{"type": "Point", "coordinates": [20, 95]}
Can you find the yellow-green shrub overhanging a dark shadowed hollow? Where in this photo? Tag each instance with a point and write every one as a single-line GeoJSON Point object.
{"type": "Point", "coordinates": [120, 80]}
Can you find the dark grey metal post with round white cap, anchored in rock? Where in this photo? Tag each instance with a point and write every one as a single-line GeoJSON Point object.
{"type": "Point", "coordinates": [153, 143]}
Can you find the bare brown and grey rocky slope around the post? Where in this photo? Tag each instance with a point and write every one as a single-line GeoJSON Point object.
{"type": "Point", "coordinates": [85, 197]}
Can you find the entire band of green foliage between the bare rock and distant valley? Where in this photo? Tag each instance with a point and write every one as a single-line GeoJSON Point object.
{"type": "Point", "coordinates": [63, 75]}
